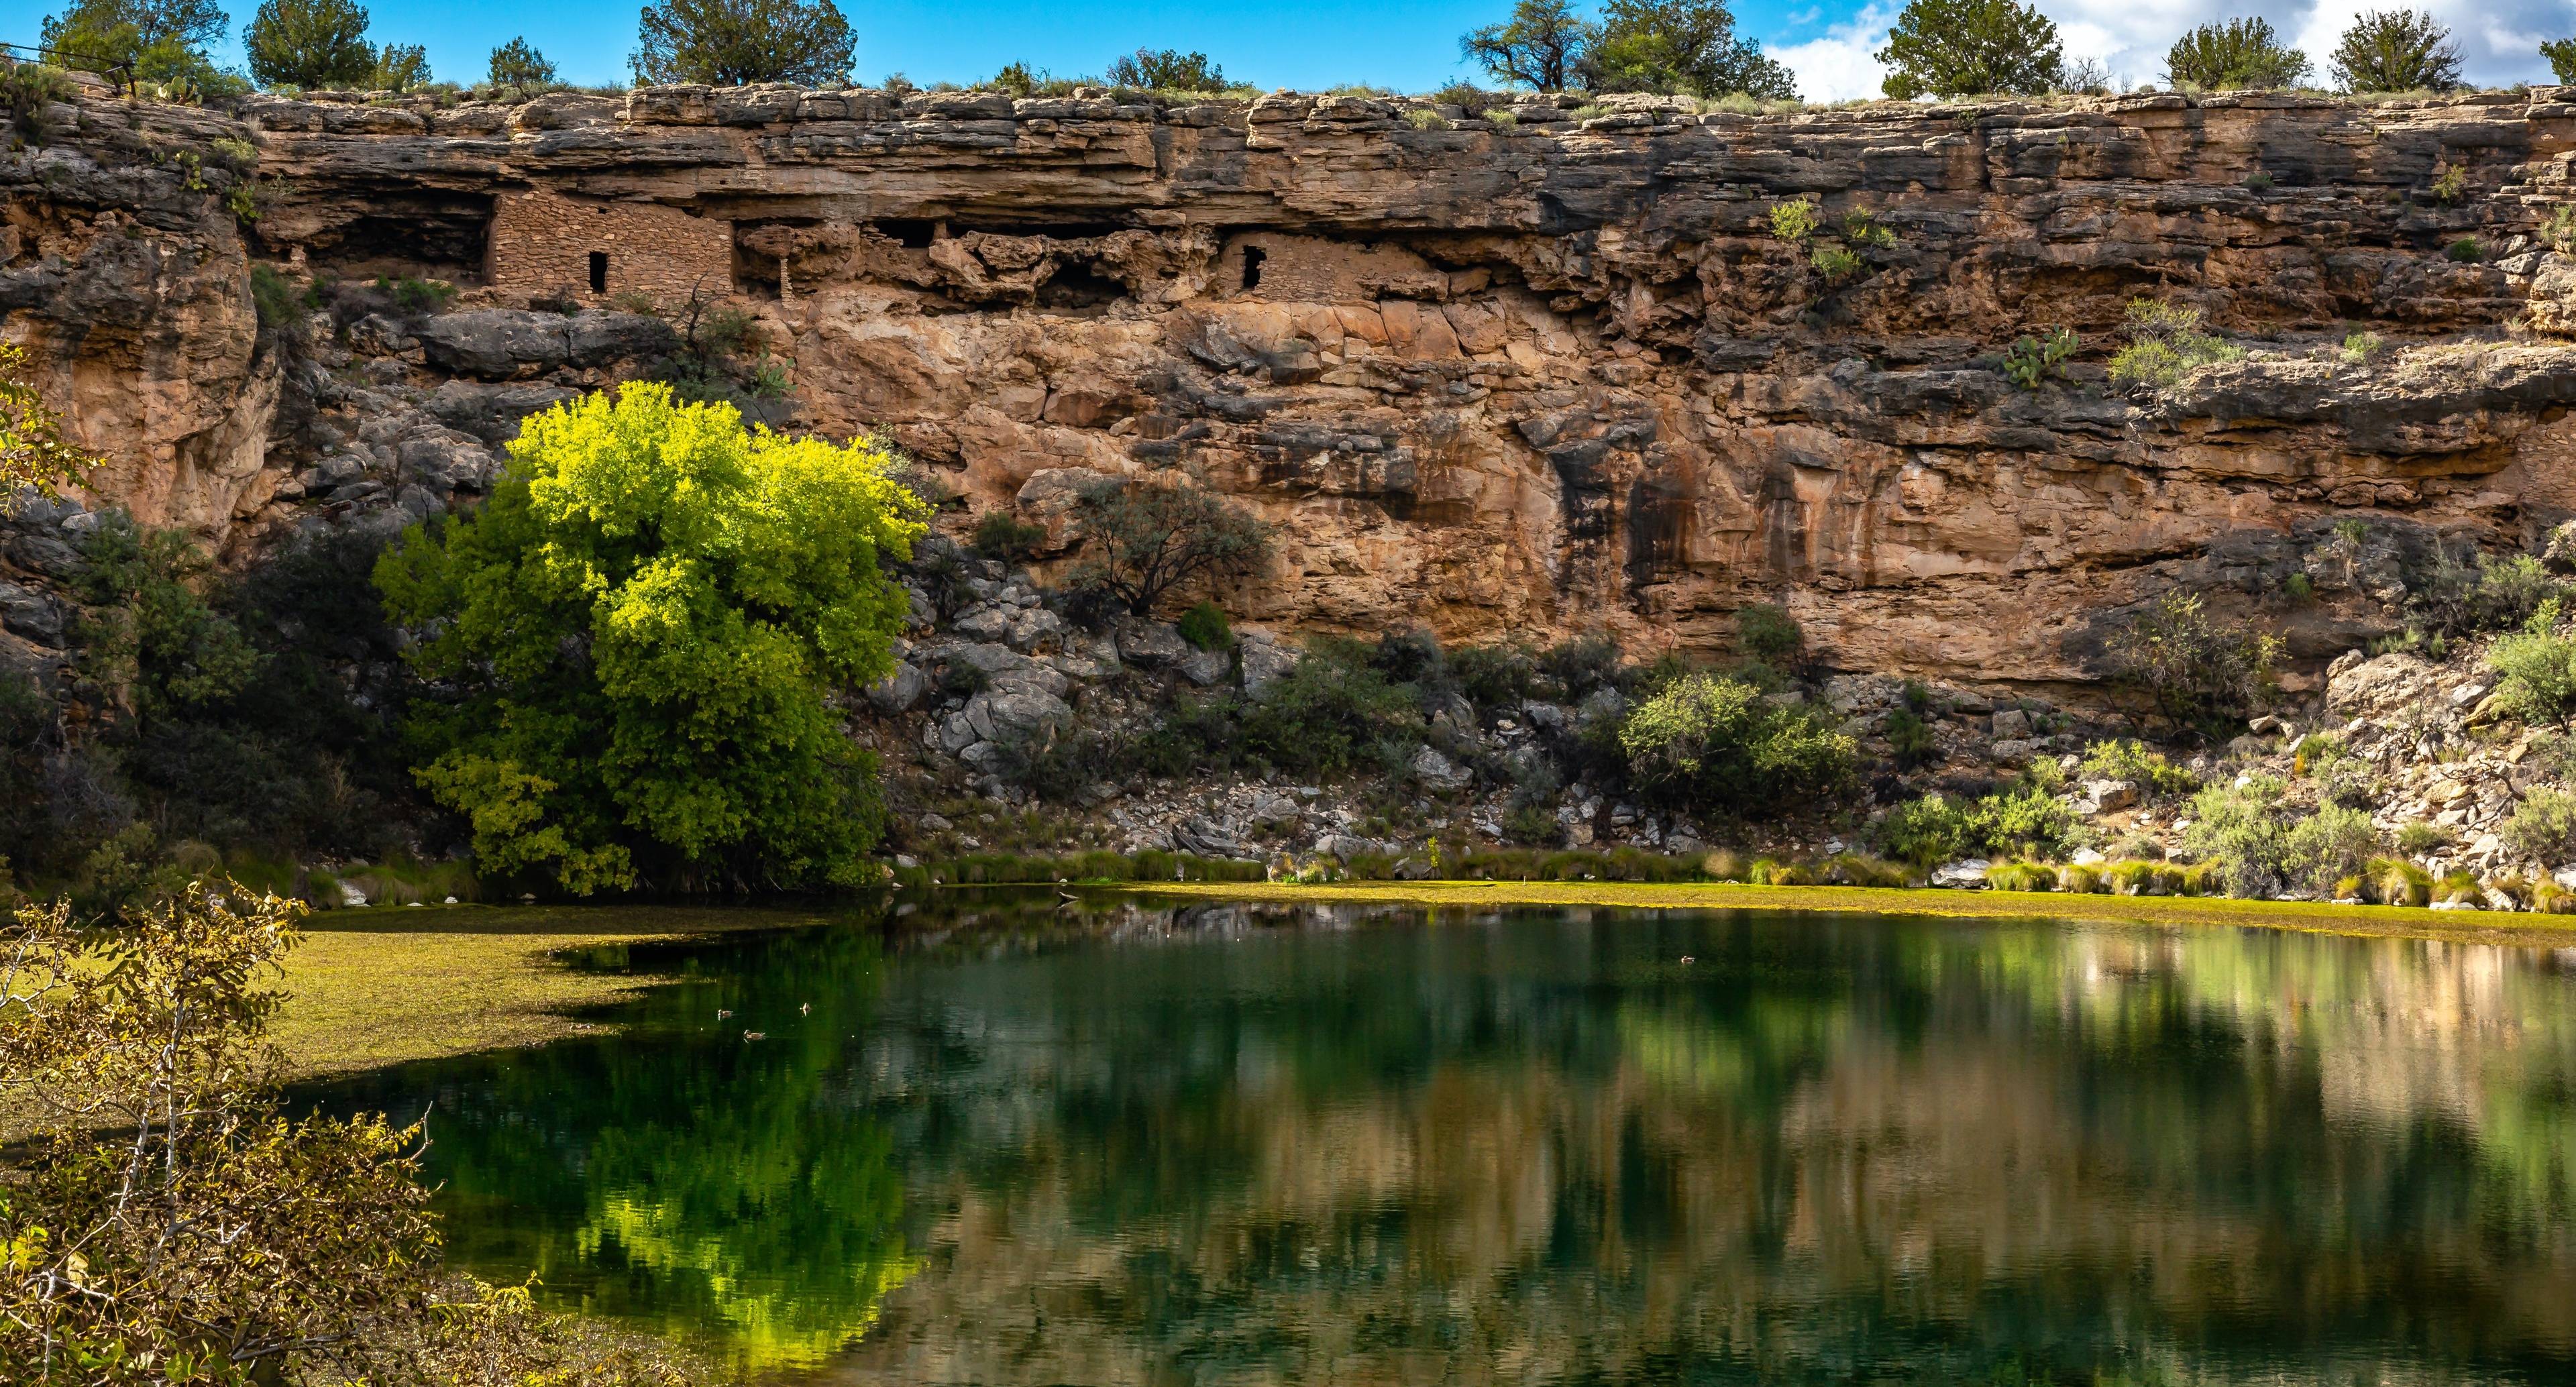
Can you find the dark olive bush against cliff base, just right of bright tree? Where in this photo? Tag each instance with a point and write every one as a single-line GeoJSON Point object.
{"type": "Point", "coordinates": [1150, 537]}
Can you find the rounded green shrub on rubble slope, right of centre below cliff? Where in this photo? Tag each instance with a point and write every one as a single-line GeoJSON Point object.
{"type": "Point", "coordinates": [1717, 745]}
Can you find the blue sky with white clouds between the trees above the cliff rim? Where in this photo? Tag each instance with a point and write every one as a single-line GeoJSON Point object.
{"type": "Point", "coordinates": [1410, 45]}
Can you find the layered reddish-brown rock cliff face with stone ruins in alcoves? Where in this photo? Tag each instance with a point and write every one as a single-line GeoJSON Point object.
{"type": "Point", "coordinates": [1501, 377]}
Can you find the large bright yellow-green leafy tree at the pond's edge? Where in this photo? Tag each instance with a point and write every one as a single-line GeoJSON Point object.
{"type": "Point", "coordinates": [643, 629]}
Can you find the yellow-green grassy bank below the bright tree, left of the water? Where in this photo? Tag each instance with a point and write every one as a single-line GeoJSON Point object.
{"type": "Point", "coordinates": [377, 989]}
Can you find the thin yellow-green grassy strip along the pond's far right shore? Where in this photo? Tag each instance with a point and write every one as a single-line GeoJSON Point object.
{"type": "Point", "coordinates": [1964, 905]}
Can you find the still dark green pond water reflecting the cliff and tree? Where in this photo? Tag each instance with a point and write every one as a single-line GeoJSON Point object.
{"type": "Point", "coordinates": [1217, 1144]}
